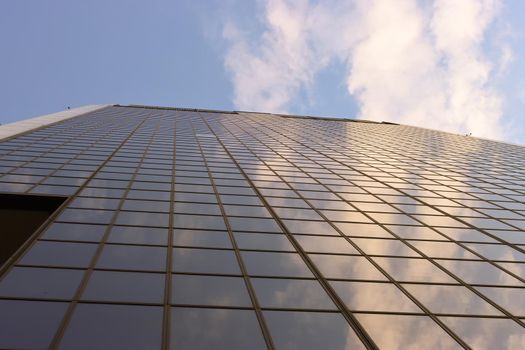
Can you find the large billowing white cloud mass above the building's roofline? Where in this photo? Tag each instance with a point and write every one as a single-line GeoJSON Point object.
{"type": "Point", "coordinates": [408, 61]}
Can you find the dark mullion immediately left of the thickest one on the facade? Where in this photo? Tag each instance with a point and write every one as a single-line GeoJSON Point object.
{"type": "Point", "coordinates": [251, 291]}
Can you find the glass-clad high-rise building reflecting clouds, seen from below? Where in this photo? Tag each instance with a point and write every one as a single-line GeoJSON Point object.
{"type": "Point", "coordinates": [135, 227]}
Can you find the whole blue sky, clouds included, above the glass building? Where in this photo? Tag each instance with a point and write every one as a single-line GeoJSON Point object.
{"type": "Point", "coordinates": [428, 63]}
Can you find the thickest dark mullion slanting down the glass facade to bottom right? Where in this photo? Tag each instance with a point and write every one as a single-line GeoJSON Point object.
{"type": "Point", "coordinates": [349, 317]}
